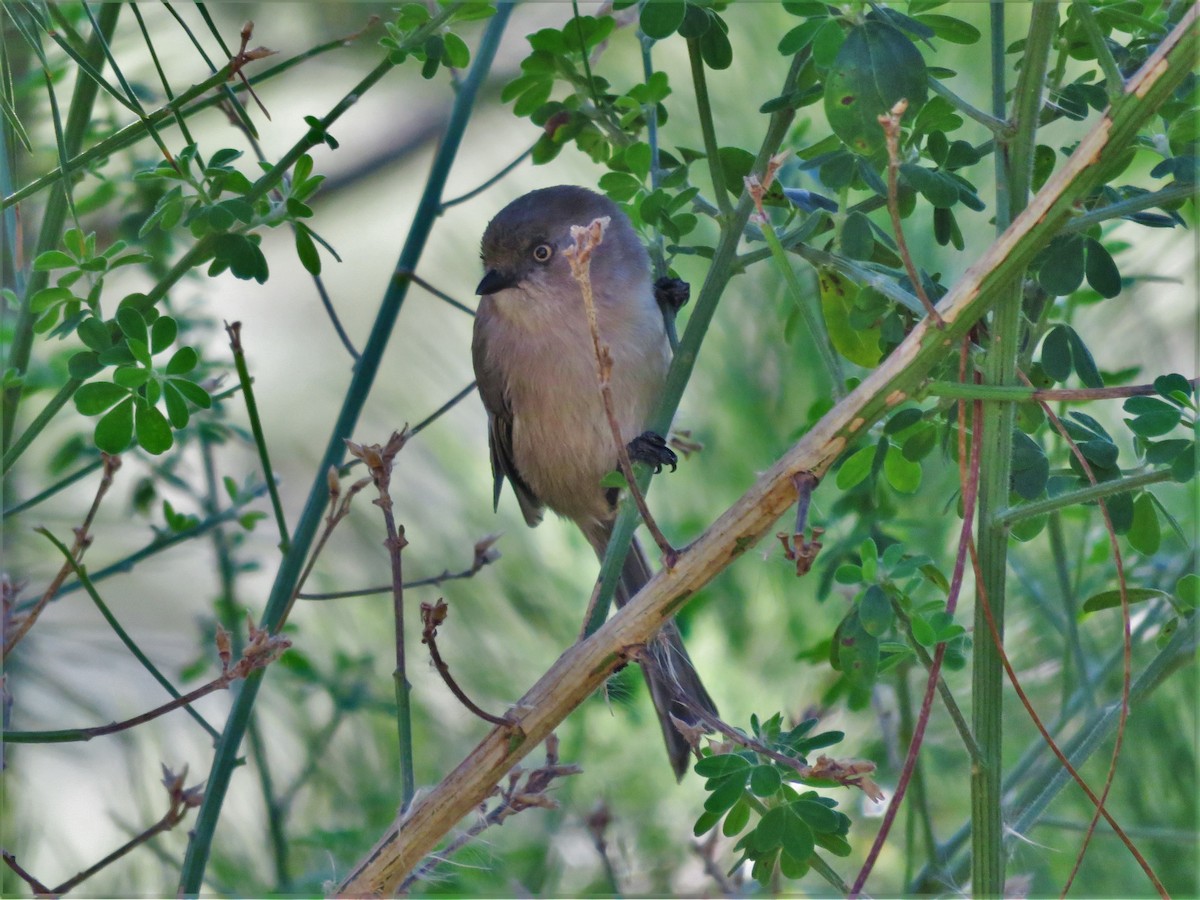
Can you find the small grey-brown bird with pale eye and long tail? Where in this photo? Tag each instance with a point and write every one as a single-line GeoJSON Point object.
{"type": "Point", "coordinates": [537, 371]}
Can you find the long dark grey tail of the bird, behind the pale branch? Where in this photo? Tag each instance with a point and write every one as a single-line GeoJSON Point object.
{"type": "Point", "coordinates": [673, 679]}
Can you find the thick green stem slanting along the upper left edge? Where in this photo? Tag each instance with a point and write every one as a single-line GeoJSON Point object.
{"type": "Point", "coordinates": [79, 119]}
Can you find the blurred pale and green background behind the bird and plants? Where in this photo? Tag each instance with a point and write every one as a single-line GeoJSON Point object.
{"type": "Point", "coordinates": [325, 715]}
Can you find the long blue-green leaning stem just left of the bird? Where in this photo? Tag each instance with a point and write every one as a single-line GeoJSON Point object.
{"type": "Point", "coordinates": [365, 371]}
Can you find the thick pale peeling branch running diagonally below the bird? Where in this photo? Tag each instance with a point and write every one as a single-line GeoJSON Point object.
{"type": "Point", "coordinates": [585, 667]}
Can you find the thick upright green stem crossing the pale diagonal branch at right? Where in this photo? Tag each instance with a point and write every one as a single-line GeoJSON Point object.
{"type": "Point", "coordinates": [1016, 167]}
